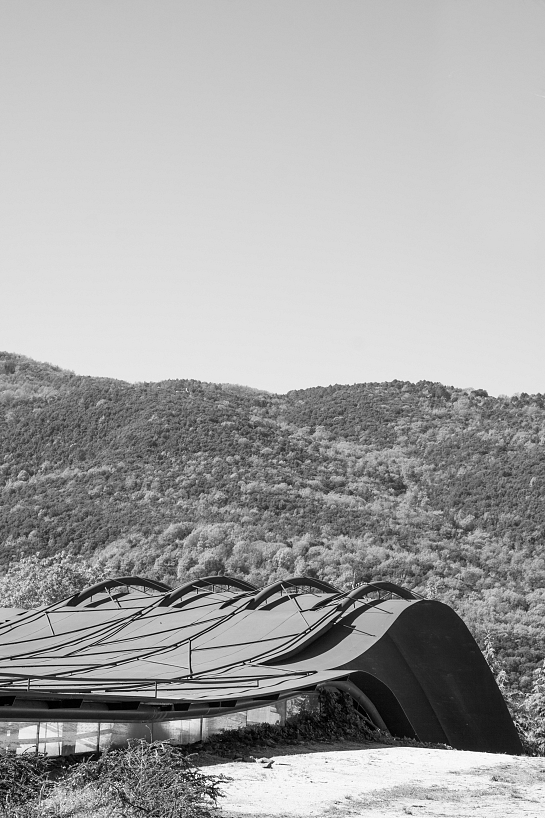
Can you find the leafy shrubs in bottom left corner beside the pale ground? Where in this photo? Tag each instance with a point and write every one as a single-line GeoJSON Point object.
{"type": "Point", "coordinates": [155, 780]}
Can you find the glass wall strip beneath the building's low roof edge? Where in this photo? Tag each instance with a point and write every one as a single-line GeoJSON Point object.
{"type": "Point", "coordinates": [68, 737]}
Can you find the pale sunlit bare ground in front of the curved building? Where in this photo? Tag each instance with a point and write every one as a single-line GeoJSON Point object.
{"type": "Point", "coordinates": [366, 780]}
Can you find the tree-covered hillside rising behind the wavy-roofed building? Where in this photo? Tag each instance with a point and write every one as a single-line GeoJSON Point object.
{"type": "Point", "coordinates": [437, 488]}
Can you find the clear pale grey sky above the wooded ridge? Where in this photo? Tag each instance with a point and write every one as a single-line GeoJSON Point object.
{"type": "Point", "coordinates": [279, 193]}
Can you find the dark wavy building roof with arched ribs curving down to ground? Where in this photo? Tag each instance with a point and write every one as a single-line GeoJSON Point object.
{"type": "Point", "coordinates": [132, 649]}
